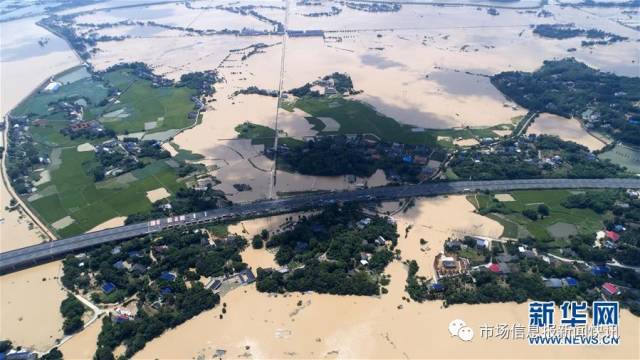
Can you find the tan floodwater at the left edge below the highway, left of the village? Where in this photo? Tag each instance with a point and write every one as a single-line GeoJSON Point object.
{"type": "Point", "coordinates": [29, 306]}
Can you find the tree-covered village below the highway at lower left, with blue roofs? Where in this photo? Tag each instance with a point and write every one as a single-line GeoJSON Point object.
{"type": "Point", "coordinates": [164, 277]}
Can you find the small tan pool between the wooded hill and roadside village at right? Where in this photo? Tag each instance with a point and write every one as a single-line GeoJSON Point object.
{"type": "Point", "coordinates": [566, 129]}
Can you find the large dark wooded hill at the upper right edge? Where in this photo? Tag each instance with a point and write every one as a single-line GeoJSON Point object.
{"type": "Point", "coordinates": [569, 88]}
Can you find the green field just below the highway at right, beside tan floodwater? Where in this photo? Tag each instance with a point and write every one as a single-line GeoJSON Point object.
{"type": "Point", "coordinates": [557, 226]}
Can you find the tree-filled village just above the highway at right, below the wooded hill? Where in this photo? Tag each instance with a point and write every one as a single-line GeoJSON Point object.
{"type": "Point", "coordinates": [575, 161]}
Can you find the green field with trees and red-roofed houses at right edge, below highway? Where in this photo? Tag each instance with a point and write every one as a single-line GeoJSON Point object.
{"type": "Point", "coordinates": [566, 222]}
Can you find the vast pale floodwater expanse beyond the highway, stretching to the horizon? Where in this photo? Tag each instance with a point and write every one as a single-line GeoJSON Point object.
{"type": "Point", "coordinates": [424, 65]}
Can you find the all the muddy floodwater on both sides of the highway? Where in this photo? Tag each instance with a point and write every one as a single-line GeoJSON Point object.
{"type": "Point", "coordinates": [412, 65]}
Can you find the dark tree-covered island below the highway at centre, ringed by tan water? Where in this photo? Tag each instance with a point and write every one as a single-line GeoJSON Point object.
{"type": "Point", "coordinates": [330, 246]}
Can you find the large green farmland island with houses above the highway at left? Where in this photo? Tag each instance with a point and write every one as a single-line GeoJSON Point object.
{"type": "Point", "coordinates": [87, 188]}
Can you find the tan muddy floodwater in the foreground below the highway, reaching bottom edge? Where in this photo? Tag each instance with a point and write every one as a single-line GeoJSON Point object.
{"type": "Point", "coordinates": [259, 325]}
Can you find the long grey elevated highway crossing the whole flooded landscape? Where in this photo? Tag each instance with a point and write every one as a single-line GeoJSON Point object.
{"type": "Point", "coordinates": [36, 254]}
